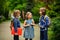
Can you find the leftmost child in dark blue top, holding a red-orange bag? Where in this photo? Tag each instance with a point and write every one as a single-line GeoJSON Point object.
{"type": "Point", "coordinates": [15, 23]}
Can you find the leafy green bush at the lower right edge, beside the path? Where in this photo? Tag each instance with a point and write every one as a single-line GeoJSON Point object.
{"type": "Point", "coordinates": [56, 28]}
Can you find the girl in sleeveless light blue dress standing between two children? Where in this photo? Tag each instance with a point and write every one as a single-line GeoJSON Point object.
{"type": "Point", "coordinates": [28, 25]}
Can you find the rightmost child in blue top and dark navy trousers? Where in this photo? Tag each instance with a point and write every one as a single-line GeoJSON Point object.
{"type": "Point", "coordinates": [44, 22]}
